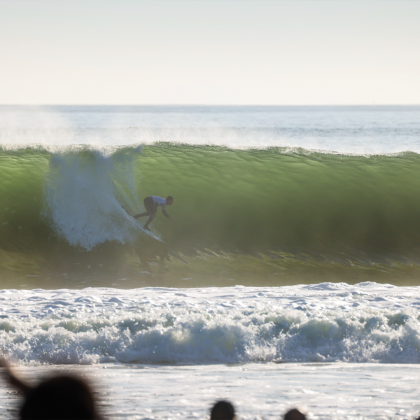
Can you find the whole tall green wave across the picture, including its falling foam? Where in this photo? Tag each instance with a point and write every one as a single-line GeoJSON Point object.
{"type": "Point", "coordinates": [258, 216]}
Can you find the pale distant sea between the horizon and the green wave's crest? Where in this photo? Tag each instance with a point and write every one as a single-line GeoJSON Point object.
{"type": "Point", "coordinates": [348, 130]}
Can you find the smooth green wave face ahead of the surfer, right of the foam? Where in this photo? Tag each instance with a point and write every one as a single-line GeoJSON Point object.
{"type": "Point", "coordinates": [271, 200]}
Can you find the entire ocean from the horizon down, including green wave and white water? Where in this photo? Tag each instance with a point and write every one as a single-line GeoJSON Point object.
{"type": "Point", "coordinates": [289, 275]}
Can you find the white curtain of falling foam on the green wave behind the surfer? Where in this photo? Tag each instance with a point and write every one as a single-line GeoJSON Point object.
{"type": "Point", "coordinates": [80, 198]}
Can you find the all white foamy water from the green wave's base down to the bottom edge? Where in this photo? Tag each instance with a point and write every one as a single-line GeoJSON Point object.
{"type": "Point", "coordinates": [338, 351]}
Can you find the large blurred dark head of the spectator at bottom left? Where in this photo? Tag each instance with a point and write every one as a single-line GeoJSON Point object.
{"type": "Point", "coordinates": [62, 397]}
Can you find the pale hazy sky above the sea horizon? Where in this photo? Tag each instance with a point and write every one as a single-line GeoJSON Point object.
{"type": "Point", "coordinates": [219, 52]}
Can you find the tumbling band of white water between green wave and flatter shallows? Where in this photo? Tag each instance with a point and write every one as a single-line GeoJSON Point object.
{"type": "Point", "coordinates": [331, 322]}
